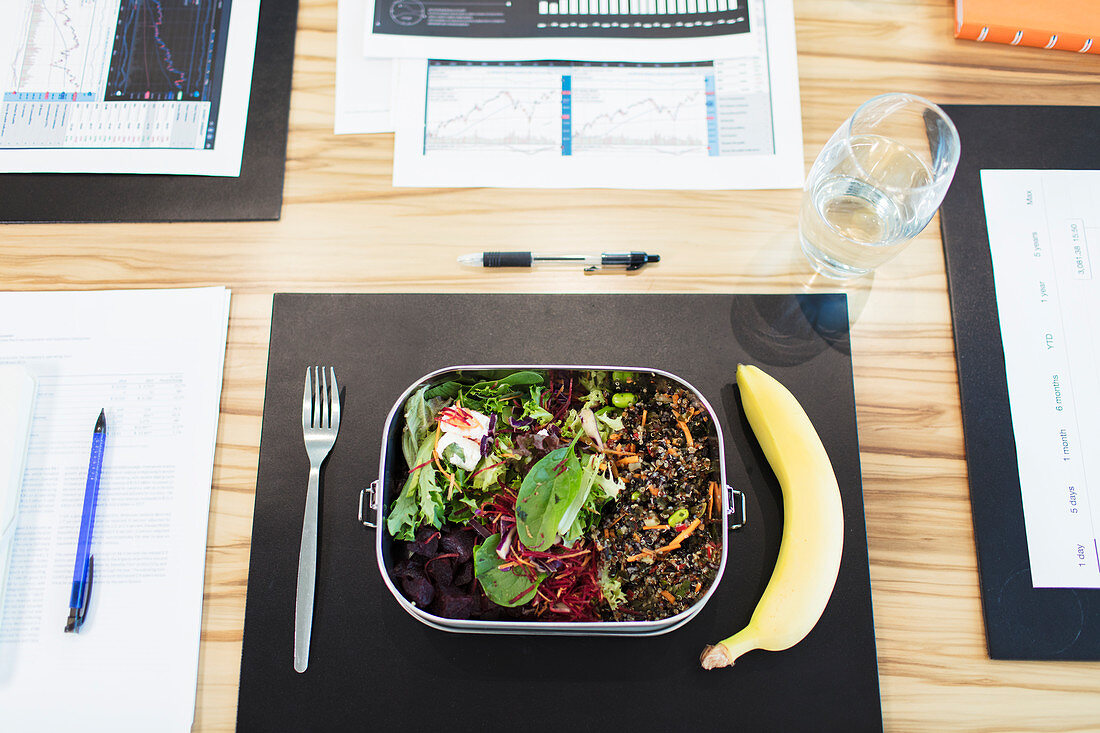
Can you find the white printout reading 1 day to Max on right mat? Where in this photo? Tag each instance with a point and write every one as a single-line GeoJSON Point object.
{"type": "Point", "coordinates": [1043, 227]}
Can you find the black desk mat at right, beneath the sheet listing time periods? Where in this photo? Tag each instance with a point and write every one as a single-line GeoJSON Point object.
{"type": "Point", "coordinates": [1022, 622]}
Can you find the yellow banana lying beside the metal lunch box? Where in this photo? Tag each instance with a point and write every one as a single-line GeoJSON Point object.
{"type": "Point", "coordinates": [813, 523]}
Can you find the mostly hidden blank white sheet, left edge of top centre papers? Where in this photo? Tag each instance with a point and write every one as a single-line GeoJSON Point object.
{"type": "Point", "coordinates": [365, 86]}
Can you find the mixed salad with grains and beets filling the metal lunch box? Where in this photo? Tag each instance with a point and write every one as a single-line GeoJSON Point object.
{"type": "Point", "coordinates": [573, 496]}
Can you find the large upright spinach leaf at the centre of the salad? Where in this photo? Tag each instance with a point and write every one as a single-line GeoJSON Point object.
{"type": "Point", "coordinates": [547, 493]}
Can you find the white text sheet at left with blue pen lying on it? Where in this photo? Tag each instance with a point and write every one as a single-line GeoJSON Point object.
{"type": "Point", "coordinates": [153, 360]}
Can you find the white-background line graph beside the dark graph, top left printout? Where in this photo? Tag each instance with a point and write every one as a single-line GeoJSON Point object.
{"type": "Point", "coordinates": [57, 47]}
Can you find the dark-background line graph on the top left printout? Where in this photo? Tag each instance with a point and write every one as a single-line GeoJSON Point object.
{"type": "Point", "coordinates": [164, 50]}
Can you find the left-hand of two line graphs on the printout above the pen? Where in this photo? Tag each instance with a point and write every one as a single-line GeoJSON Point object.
{"type": "Point", "coordinates": [513, 108]}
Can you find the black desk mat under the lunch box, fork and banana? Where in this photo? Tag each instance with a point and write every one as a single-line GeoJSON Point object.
{"type": "Point", "coordinates": [375, 668]}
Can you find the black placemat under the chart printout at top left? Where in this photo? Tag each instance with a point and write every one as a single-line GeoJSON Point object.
{"type": "Point", "coordinates": [256, 194]}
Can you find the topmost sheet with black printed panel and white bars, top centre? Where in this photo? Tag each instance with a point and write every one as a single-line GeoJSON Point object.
{"type": "Point", "coordinates": [593, 30]}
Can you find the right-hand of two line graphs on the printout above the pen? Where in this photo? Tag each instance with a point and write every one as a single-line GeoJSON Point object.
{"type": "Point", "coordinates": [647, 112]}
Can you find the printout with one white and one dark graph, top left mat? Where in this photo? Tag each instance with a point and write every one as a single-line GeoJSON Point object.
{"type": "Point", "coordinates": [90, 84]}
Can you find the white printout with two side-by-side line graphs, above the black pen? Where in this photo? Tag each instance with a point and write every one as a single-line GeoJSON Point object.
{"type": "Point", "coordinates": [729, 124]}
